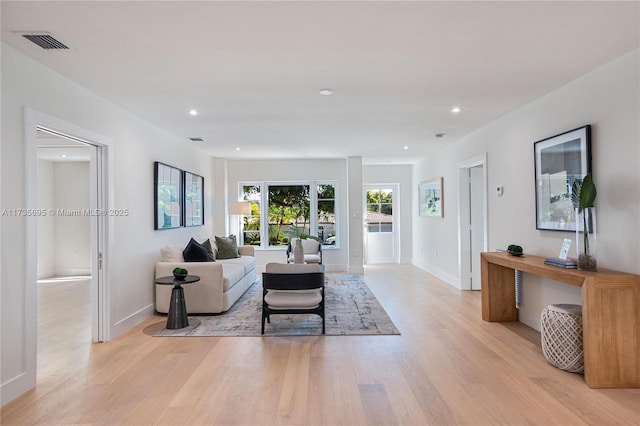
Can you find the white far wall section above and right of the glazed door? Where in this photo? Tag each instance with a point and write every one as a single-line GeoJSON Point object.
{"type": "Point", "coordinates": [400, 174]}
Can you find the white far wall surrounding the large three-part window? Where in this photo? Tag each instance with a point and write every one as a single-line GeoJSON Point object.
{"type": "Point", "coordinates": [334, 259]}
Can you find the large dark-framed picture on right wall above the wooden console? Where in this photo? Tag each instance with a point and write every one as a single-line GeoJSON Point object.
{"type": "Point", "coordinates": [559, 161]}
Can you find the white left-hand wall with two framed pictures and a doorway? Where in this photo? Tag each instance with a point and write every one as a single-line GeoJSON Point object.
{"type": "Point", "coordinates": [136, 145]}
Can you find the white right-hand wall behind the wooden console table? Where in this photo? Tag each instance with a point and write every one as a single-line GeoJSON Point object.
{"type": "Point", "coordinates": [607, 98]}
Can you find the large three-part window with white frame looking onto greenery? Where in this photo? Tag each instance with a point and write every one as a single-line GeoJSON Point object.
{"type": "Point", "coordinates": [280, 211]}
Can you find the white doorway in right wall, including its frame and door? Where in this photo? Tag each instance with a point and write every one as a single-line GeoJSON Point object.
{"type": "Point", "coordinates": [472, 226]}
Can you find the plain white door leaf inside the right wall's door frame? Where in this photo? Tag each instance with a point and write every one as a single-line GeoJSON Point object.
{"type": "Point", "coordinates": [476, 214]}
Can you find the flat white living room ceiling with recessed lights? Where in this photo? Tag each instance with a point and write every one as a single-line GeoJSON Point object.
{"type": "Point", "coordinates": [253, 69]}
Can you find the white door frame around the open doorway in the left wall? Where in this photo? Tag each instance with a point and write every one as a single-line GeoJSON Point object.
{"type": "Point", "coordinates": [101, 194]}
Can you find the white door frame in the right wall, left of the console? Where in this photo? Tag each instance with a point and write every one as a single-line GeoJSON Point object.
{"type": "Point", "coordinates": [464, 241]}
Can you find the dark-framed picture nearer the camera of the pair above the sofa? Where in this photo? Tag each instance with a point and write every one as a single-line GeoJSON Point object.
{"type": "Point", "coordinates": [168, 196]}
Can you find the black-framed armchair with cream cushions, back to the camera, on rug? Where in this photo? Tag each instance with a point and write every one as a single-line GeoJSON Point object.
{"type": "Point", "coordinates": [292, 289]}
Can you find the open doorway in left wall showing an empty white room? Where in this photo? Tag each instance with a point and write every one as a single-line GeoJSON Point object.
{"type": "Point", "coordinates": [64, 259]}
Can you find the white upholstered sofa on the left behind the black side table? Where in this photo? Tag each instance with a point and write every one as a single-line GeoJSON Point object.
{"type": "Point", "coordinates": [221, 282]}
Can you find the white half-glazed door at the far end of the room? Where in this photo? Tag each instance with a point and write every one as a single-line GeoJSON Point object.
{"type": "Point", "coordinates": [380, 225]}
